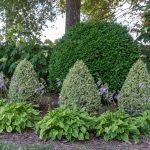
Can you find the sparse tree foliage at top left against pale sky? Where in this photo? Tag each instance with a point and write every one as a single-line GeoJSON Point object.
{"type": "Point", "coordinates": [37, 13]}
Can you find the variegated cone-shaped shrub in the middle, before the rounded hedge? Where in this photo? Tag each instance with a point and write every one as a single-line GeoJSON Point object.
{"type": "Point", "coordinates": [80, 89]}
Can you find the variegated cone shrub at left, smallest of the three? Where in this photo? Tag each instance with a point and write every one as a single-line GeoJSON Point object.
{"type": "Point", "coordinates": [24, 82]}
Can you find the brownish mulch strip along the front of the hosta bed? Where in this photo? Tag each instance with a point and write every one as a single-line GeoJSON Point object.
{"type": "Point", "coordinates": [29, 138]}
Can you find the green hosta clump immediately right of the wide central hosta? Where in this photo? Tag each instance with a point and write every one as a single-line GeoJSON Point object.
{"type": "Point", "coordinates": [117, 125]}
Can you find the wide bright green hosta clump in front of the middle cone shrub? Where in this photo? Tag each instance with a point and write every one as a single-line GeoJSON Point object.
{"type": "Point", "coordinates": [69, 123]}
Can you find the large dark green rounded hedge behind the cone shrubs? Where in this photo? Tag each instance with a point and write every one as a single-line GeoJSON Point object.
{"type": "Point", "coordinates": [106, 48]}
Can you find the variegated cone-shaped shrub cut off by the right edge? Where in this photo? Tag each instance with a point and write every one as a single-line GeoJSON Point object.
{"type": "Point", "coordinates": [134, 96]}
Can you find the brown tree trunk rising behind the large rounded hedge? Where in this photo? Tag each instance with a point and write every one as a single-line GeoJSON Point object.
{"type": "Point", "coordinates": [72, 13]}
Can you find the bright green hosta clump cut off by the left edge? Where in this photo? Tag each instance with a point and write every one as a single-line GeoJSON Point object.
{"type": "Point", "coordinates": [17, 116]}
